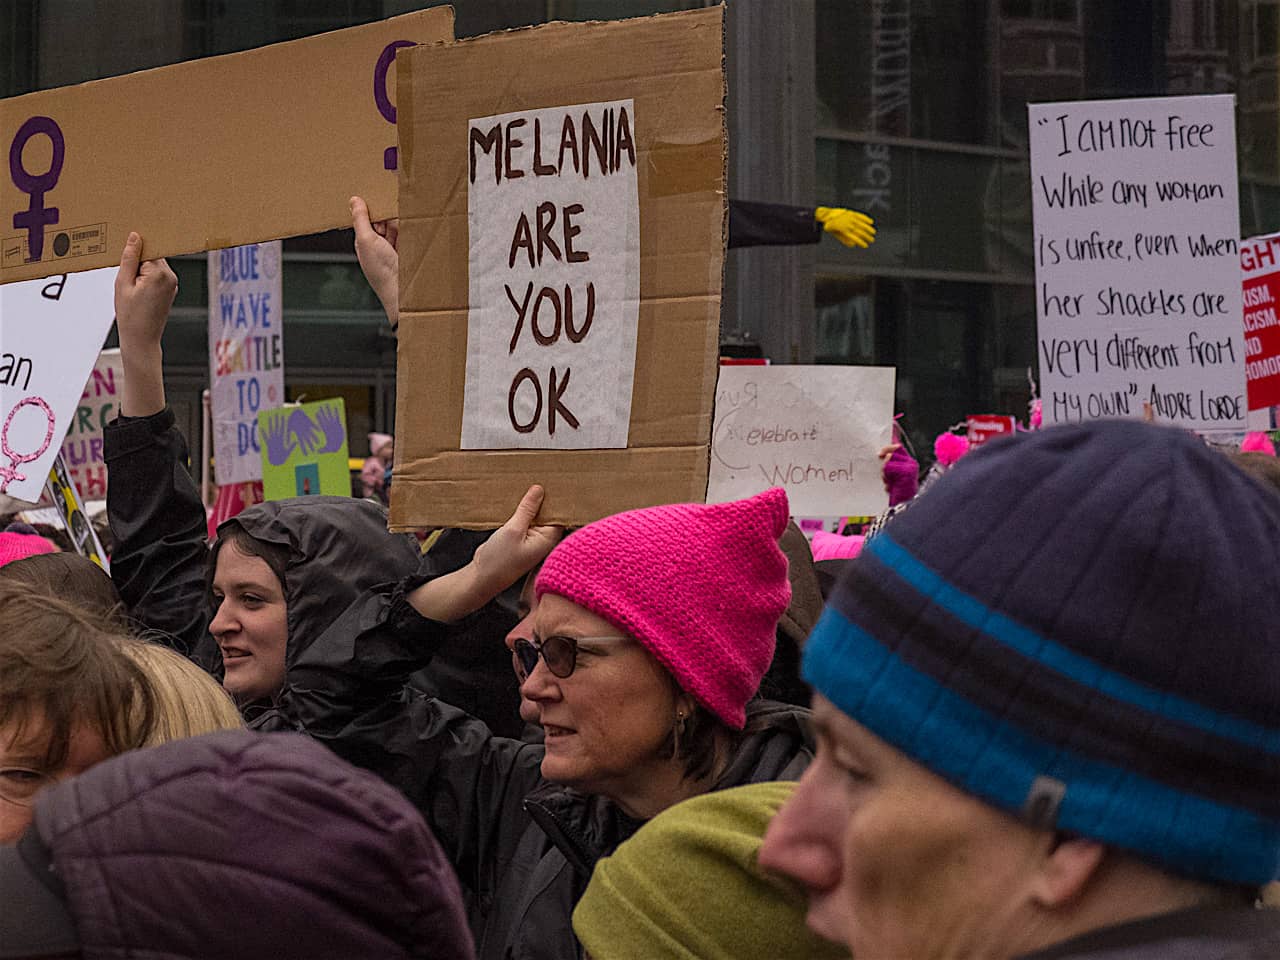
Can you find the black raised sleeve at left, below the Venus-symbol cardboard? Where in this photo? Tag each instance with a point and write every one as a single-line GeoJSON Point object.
{"type": "Point", "coordinates": [158, 523]}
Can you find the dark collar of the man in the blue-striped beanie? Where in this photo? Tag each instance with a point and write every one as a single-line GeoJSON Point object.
{"type": "Point", "coordinates": [1218, 934]}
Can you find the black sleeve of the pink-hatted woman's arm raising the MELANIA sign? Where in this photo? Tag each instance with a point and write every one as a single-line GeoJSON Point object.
{"type": "Point", "coordinates": [348, 691]}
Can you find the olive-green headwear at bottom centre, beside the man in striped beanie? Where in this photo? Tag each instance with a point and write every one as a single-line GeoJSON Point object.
{"type": "Point", "coordinates": [688, 888]}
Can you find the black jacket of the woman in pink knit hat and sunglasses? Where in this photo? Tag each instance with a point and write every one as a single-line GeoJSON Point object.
{"type": "Point", "coordinates": [524, 848]}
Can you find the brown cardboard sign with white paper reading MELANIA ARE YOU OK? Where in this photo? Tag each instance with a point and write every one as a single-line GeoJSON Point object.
{"type": "Point", "coordinates": [676, 125]}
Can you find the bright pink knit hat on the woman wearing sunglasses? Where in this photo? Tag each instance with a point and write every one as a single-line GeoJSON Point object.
{"type": "Point", "coordinates": [701, 586]}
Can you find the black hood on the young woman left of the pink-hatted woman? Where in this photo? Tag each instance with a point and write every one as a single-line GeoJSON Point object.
{"type": "Point", "coordinates": [339, 547]}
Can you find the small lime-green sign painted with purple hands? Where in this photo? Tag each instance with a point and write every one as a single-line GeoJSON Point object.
{"type": "Point", "coordinates": [305, 451]}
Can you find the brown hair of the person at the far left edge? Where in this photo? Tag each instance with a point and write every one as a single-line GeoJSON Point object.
{"type": "Point", "coordinates": [65, 666]}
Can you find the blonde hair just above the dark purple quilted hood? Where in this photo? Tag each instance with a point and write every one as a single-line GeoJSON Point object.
{"type": "Point", "coordinates": [188, 701]}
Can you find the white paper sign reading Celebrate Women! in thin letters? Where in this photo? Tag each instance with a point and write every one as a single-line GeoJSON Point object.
{"type": "Point", "coordinates": [813, 431]}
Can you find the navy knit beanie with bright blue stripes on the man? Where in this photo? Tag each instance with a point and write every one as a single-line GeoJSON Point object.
{"type": "Point", "coordinates": [1080, 627]}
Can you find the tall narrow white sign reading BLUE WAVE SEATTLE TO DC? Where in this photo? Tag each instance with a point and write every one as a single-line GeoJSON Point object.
{"type": "Point", "coordinates": [246, 354]}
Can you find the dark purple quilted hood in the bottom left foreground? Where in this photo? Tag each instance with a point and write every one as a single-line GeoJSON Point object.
{"type": "Point", "coordinates": [240, 845]}
